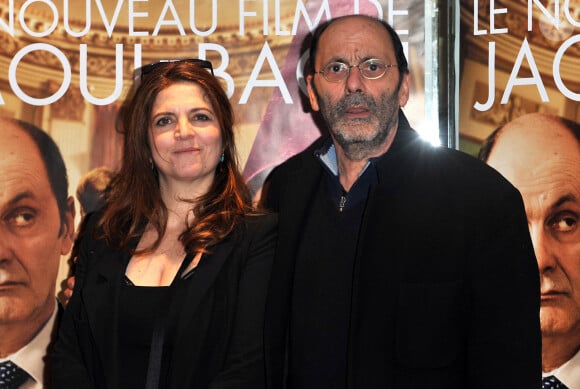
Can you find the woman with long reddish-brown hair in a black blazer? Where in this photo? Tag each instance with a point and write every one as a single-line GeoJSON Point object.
{"type": "Point", "coordinates": [173, 271]}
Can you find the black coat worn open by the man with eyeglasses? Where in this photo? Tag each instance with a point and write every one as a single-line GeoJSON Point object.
{"type": "Point", "coordinates": [446, 288]}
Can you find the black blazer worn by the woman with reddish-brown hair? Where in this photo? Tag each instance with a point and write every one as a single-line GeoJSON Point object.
{"type": "Point", "coordinates": [218, 338]}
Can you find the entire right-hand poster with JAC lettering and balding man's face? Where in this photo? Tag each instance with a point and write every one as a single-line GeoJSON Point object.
{"type": "Point", "coordinates": [519, 112]}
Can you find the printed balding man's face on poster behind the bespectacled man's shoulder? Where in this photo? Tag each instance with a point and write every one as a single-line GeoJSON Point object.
{"type": "Point", "coordinates": [542, 159]}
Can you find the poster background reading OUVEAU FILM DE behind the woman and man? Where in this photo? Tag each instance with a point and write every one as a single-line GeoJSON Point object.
{"type": "Point", "coordinates": [66, 65]}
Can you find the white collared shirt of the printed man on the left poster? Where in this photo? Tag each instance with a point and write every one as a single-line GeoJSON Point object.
{"type": "Point", "coordinates": [30, 358]}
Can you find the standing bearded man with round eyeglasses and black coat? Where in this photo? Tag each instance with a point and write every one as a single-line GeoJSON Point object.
{"type": "Point", "coordinates": [399, 264]}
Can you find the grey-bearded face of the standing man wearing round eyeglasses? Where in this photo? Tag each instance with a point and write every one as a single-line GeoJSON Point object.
{"type": "Point", "coordinates": [360, 113]}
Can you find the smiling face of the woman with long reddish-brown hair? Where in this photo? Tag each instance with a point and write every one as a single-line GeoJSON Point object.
{"type": "Point", "coordinates": [185, 137]}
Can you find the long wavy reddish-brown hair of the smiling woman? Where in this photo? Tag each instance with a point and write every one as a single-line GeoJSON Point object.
{"type": "Point", "coordinates": [134, 196]}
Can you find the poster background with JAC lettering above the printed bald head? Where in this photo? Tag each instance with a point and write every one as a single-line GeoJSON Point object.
{"type": "Point", "coordinates": [517, 57]}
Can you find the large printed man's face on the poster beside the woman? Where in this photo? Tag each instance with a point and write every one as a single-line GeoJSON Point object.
{"type": "Point", "coordinates": [30, 244]}
